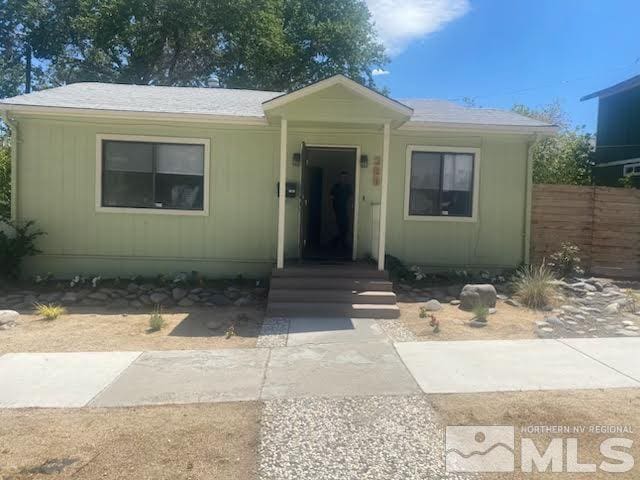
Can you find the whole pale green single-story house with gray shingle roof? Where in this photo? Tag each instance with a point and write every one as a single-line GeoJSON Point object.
{"type": "Point", "coordinates": [129, 179]}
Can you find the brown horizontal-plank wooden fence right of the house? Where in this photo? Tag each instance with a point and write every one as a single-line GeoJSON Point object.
{"type": "Point", "coordinates": [604, 222]}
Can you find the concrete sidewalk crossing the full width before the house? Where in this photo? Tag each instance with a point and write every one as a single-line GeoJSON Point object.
{"type": "Point", "coordinates": [370, 366]}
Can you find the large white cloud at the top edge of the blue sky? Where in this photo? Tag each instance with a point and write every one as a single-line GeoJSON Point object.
{"type": "Point", "coordinates": [399, 22]}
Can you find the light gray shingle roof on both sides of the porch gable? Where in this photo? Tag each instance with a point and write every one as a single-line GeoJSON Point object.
{"type": "Point", "coordinates": [232, 102]}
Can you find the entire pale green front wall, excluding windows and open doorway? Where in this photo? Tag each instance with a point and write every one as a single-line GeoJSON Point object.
{"type": "Point", "coordinates": [56, 172]}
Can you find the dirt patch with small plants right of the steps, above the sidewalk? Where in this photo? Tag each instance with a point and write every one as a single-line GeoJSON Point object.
{"type": "Point", "coordinates": [507, 323]}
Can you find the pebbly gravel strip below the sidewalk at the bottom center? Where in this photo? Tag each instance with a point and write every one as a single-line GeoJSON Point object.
{"type": "Point", "coordinates": [370, 438]}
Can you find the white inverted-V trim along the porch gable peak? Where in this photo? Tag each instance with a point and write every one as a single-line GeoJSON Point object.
{"type": "Point", "coordinates": [337, 80]}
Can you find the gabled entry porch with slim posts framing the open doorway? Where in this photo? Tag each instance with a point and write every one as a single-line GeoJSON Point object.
{"type": "Point", "coordinates": [335, 104]}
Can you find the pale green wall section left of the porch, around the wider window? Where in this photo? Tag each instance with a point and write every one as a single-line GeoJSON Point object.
{"type": "Point", "coordinates": [56, 176]}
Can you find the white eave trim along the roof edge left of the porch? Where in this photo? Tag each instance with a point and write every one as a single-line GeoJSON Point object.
{"type": "Point", "coordinates": [134, 115]}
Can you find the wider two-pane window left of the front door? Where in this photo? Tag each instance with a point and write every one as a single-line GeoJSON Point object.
{"type": "Point", "coordinates": [152, 175]}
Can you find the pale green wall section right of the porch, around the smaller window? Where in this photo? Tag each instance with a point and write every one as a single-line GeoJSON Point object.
{"type": "Point", "coordinates": [495, 240]}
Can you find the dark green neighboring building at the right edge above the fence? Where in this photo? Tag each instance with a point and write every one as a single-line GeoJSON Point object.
{"type": "Point", "coordinates": [618, 137]}
